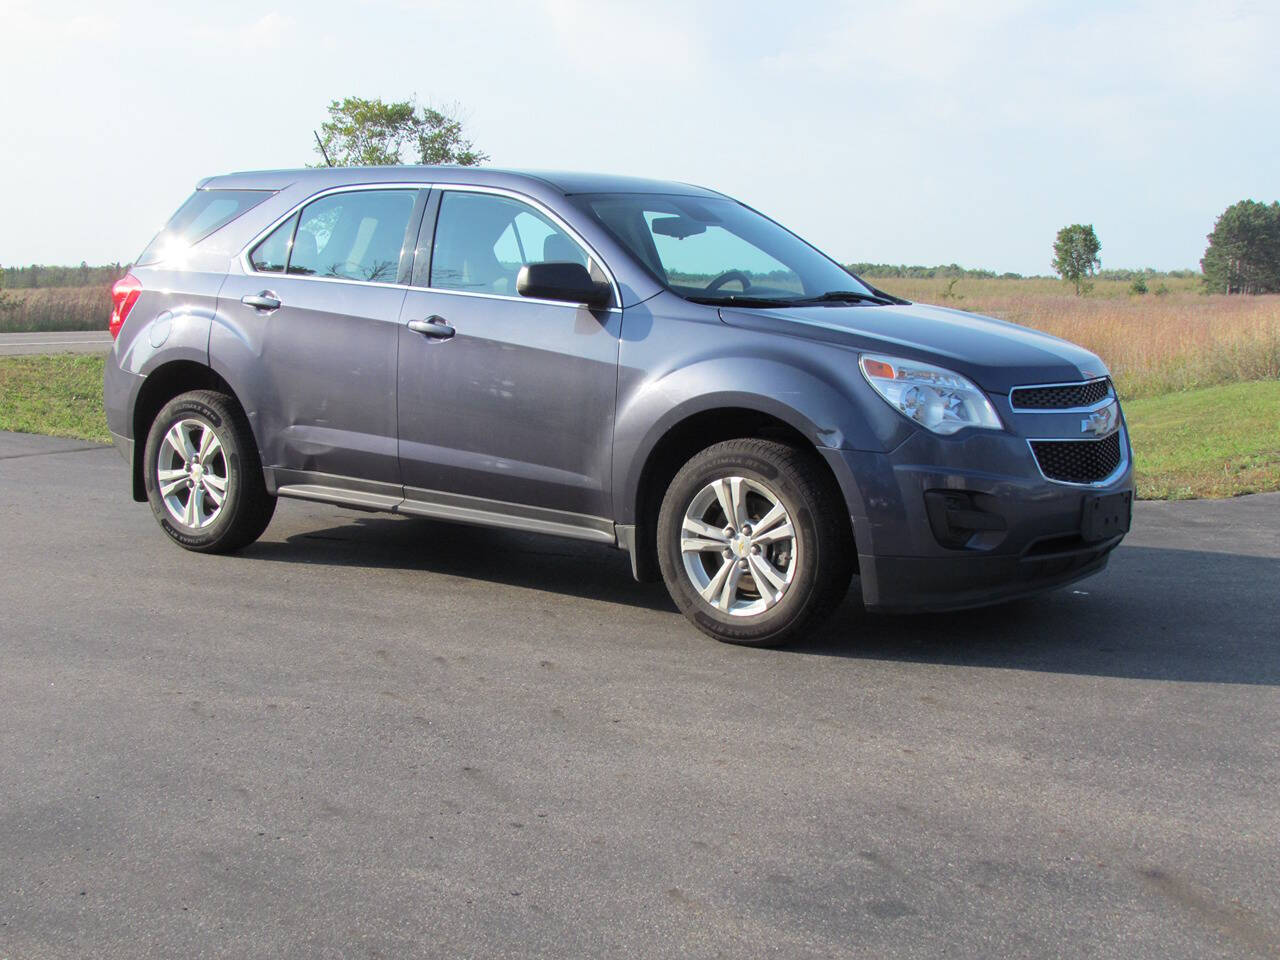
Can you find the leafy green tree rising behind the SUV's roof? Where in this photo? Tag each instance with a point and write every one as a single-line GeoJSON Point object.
{"type": "Point", "coordinates": [372, 134]}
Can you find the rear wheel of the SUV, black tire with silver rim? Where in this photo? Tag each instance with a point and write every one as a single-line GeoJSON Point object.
{"type": "Point", "coordinates": [184, 490]}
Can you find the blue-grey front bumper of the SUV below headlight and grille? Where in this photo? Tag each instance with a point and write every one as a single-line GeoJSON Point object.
{"type": "Point", "coordinates": [904, 564]}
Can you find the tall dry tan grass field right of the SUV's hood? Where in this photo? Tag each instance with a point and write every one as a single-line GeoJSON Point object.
{"type": "Point", "coordinates": [1154, 345]}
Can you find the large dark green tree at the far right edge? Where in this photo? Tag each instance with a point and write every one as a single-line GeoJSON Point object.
{"type": "Point", "coordinates": [1244, 254]}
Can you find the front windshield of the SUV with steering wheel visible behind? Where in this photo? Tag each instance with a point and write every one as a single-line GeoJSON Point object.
{"type": "Point", "coordinates": [715, 250]}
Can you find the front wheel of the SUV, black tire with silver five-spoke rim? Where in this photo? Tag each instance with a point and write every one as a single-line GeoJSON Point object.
{"type": "Point", "coordinates": [808, 573]}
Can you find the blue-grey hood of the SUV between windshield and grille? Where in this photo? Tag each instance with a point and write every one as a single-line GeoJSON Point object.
{"type": "Point", "coordinates": [995, 354]}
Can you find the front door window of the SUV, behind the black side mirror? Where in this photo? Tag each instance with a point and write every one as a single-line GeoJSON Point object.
{"type": "Point", "coordinates": [482, 241]}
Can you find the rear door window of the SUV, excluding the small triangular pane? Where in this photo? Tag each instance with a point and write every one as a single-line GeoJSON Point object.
{"type": "Point", "coordinates": [353, 236]}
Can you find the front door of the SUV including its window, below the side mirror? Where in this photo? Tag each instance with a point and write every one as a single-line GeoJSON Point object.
{"type": "Point", "coordinates": [511, 415]}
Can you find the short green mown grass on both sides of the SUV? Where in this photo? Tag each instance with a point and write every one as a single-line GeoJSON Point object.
{"type": "Point", "coordinates": [1210, 442]}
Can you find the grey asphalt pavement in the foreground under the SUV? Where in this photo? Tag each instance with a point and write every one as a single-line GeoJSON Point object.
{"type": "Point", "coordinates": [381, 737]}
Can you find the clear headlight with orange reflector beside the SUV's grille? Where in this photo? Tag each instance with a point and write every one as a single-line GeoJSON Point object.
{"type": "Point", "coordinates": [936, 399]}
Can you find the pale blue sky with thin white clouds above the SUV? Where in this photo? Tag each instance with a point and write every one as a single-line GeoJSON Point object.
{"type": "Point", "coordinates": [912, 131]}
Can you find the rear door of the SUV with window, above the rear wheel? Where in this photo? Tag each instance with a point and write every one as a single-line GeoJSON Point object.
{"type": "Point", "coordinates": [324, 300]}
